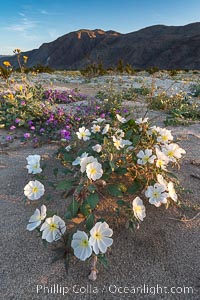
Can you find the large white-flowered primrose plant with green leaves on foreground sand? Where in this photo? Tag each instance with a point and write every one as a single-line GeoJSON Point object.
{"type": "Point", "coordinates": [114, 160]}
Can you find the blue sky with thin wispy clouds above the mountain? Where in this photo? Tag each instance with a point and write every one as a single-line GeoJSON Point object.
{"type": "Point", "coordinates": [28, 24]}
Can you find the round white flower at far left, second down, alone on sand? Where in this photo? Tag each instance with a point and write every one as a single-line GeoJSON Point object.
{"type": "Point", "coordinates": [34, 190]}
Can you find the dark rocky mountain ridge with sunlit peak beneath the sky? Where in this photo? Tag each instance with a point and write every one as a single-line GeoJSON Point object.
{"type": "Point", "coordinates": [165, 47]}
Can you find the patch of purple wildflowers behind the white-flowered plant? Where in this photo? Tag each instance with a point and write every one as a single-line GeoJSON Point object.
{"type": "Point", "coordinates": [60, 123]}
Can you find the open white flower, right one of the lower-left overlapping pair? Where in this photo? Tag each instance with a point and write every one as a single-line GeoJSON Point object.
{"type": "Point", "coordinates": [53, 228]}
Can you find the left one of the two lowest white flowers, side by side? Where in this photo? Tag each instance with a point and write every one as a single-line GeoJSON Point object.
{"type": "Point", "coordinates": [81, 246]}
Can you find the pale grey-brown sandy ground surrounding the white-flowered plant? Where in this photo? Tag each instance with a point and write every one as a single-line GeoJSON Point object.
{"type": "Point", "coordinates": [163, 253]}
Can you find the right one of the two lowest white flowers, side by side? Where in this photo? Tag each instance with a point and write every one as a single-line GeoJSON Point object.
{"type": "Point", "coordinates": [100, 238]}
